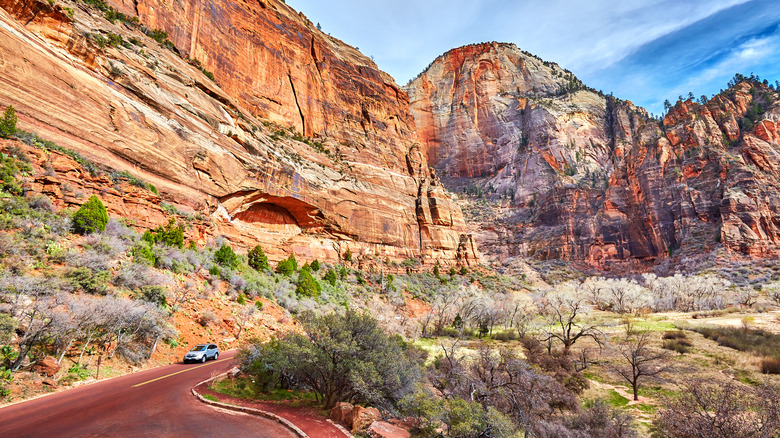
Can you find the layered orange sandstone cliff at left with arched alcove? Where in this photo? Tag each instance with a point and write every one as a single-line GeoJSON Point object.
{"type": "Point", "coordinates": [345, 175]}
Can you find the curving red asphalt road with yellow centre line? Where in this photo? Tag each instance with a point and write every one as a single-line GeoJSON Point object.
{"type": "Point", "coordinates": [152, 403]}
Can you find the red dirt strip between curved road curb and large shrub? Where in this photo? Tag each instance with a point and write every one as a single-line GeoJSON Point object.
{"type": "Point", "coordinates": [307, 419]}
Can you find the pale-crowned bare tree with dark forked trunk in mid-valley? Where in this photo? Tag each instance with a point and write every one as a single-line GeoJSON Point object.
{"type": "Point", "coordinates": [565, 306]}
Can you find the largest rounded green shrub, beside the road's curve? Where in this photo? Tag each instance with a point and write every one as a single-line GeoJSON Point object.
{"type": "Point", "coordinates": [341, 357]}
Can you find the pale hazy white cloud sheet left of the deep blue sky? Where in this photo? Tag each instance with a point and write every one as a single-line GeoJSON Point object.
{"type": "Point", "coordinates": [405, 35]}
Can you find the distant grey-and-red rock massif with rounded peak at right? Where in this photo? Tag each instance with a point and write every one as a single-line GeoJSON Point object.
{"type": "Point", "coordinates": [577, 175]}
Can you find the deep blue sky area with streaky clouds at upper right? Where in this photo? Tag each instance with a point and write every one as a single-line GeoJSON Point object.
{"type": "Point", "coordinates": [700, 58]}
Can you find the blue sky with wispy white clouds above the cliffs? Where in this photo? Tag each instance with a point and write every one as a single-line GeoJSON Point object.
{"type": "Point", "coordinates": [645, 51]}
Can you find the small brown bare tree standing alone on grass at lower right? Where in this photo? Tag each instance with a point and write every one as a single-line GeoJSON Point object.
{"type": "Point", "coordinates": [639, 360]}
